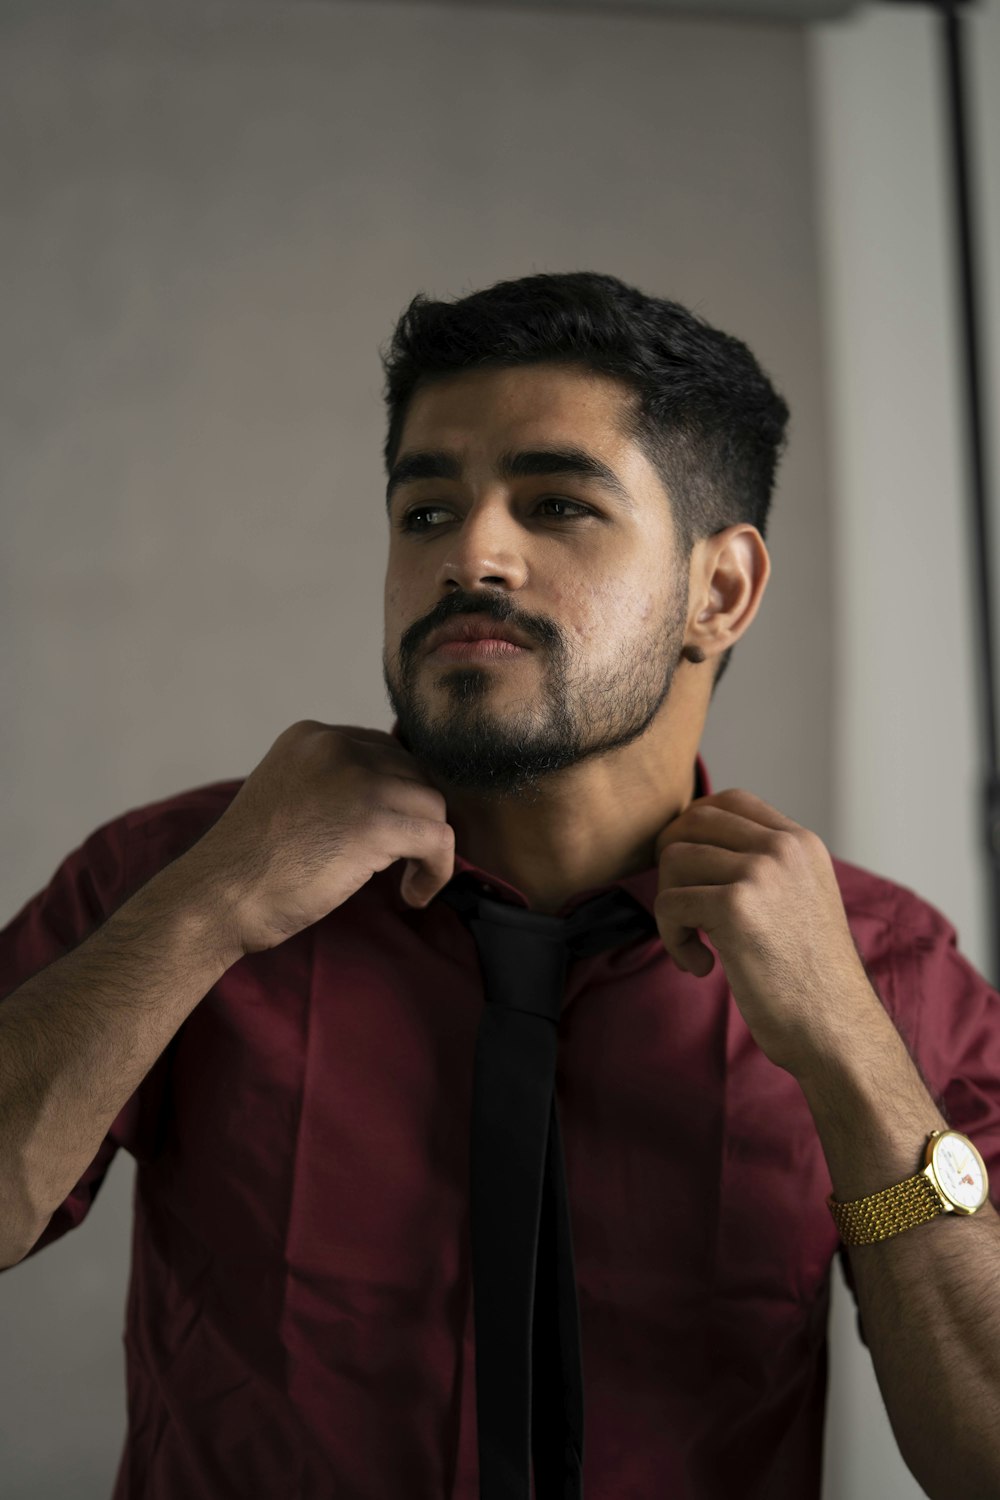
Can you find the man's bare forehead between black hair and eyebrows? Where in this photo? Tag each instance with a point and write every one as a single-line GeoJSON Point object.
{"type": "Point", "coordinates": [536, 403]}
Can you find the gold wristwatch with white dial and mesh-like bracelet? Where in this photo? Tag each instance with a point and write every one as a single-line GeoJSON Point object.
{"type": "Point", "coordinates": [953, 1181]}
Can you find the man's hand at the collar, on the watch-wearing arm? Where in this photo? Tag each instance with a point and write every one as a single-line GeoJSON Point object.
{"type": "Point", "coordinates": [765, 892]}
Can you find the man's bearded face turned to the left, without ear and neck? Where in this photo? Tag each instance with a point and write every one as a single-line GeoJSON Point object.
{"type": "Point", "coordinates": [584, 568]}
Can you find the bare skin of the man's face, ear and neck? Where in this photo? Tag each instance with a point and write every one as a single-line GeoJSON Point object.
{"type": "Point", "coordinates": [605, 695]}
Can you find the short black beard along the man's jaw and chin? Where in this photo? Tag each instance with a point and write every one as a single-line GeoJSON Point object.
{"type": "Point", "coordinates": [575, 713]}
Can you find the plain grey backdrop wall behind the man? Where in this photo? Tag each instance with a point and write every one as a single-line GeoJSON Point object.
{"type": "Point", "coordinates": [212, 218]}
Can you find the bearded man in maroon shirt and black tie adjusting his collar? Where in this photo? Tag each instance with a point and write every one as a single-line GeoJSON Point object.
{"type": "Point", "coordinates": [262, 991]}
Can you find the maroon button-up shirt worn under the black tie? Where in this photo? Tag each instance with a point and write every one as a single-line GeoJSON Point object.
{"type": "Point", "coordinates": [301, 1313]}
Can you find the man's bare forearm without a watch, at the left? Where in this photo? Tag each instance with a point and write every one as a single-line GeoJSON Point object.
{"type": "Point", "coordinates": [79, 1039]}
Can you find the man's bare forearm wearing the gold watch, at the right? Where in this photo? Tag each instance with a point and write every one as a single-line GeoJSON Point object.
{"type": "Point", "coordinates": [929, 1297]}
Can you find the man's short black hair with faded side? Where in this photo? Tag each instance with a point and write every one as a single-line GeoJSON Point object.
{"type": "Point", "coordinates": [702, 410]}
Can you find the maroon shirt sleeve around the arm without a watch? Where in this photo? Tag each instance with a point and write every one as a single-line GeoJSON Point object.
{"type": "Point", "coordinates": [86, 889]}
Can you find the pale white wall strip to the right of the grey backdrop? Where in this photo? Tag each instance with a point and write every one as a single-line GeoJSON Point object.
{"type": "Point", "coordinates": [908, 754]}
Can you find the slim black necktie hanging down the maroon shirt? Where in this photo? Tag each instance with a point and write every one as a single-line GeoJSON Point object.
{"type": "Point", "coordinates": [528, 1355]}
